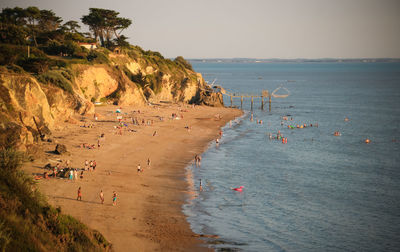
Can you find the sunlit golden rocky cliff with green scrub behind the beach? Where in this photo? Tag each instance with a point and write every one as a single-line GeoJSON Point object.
{"type": "Point", "coordinates": [32, 105]}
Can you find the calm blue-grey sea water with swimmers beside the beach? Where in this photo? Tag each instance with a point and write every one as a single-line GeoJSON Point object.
{"type": "Point", "coordinates": [318, 192]}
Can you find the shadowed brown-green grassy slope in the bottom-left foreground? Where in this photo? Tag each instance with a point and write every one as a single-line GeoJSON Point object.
{"type": "Point", "coordinates": [29, 223]}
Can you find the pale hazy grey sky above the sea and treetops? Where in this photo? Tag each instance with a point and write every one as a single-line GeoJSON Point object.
{"type": "Point", "coordinates": [250, 28]}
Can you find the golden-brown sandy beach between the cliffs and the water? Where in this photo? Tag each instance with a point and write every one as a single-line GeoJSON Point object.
{"type": "Point", "coordinates": [148, 214]}
